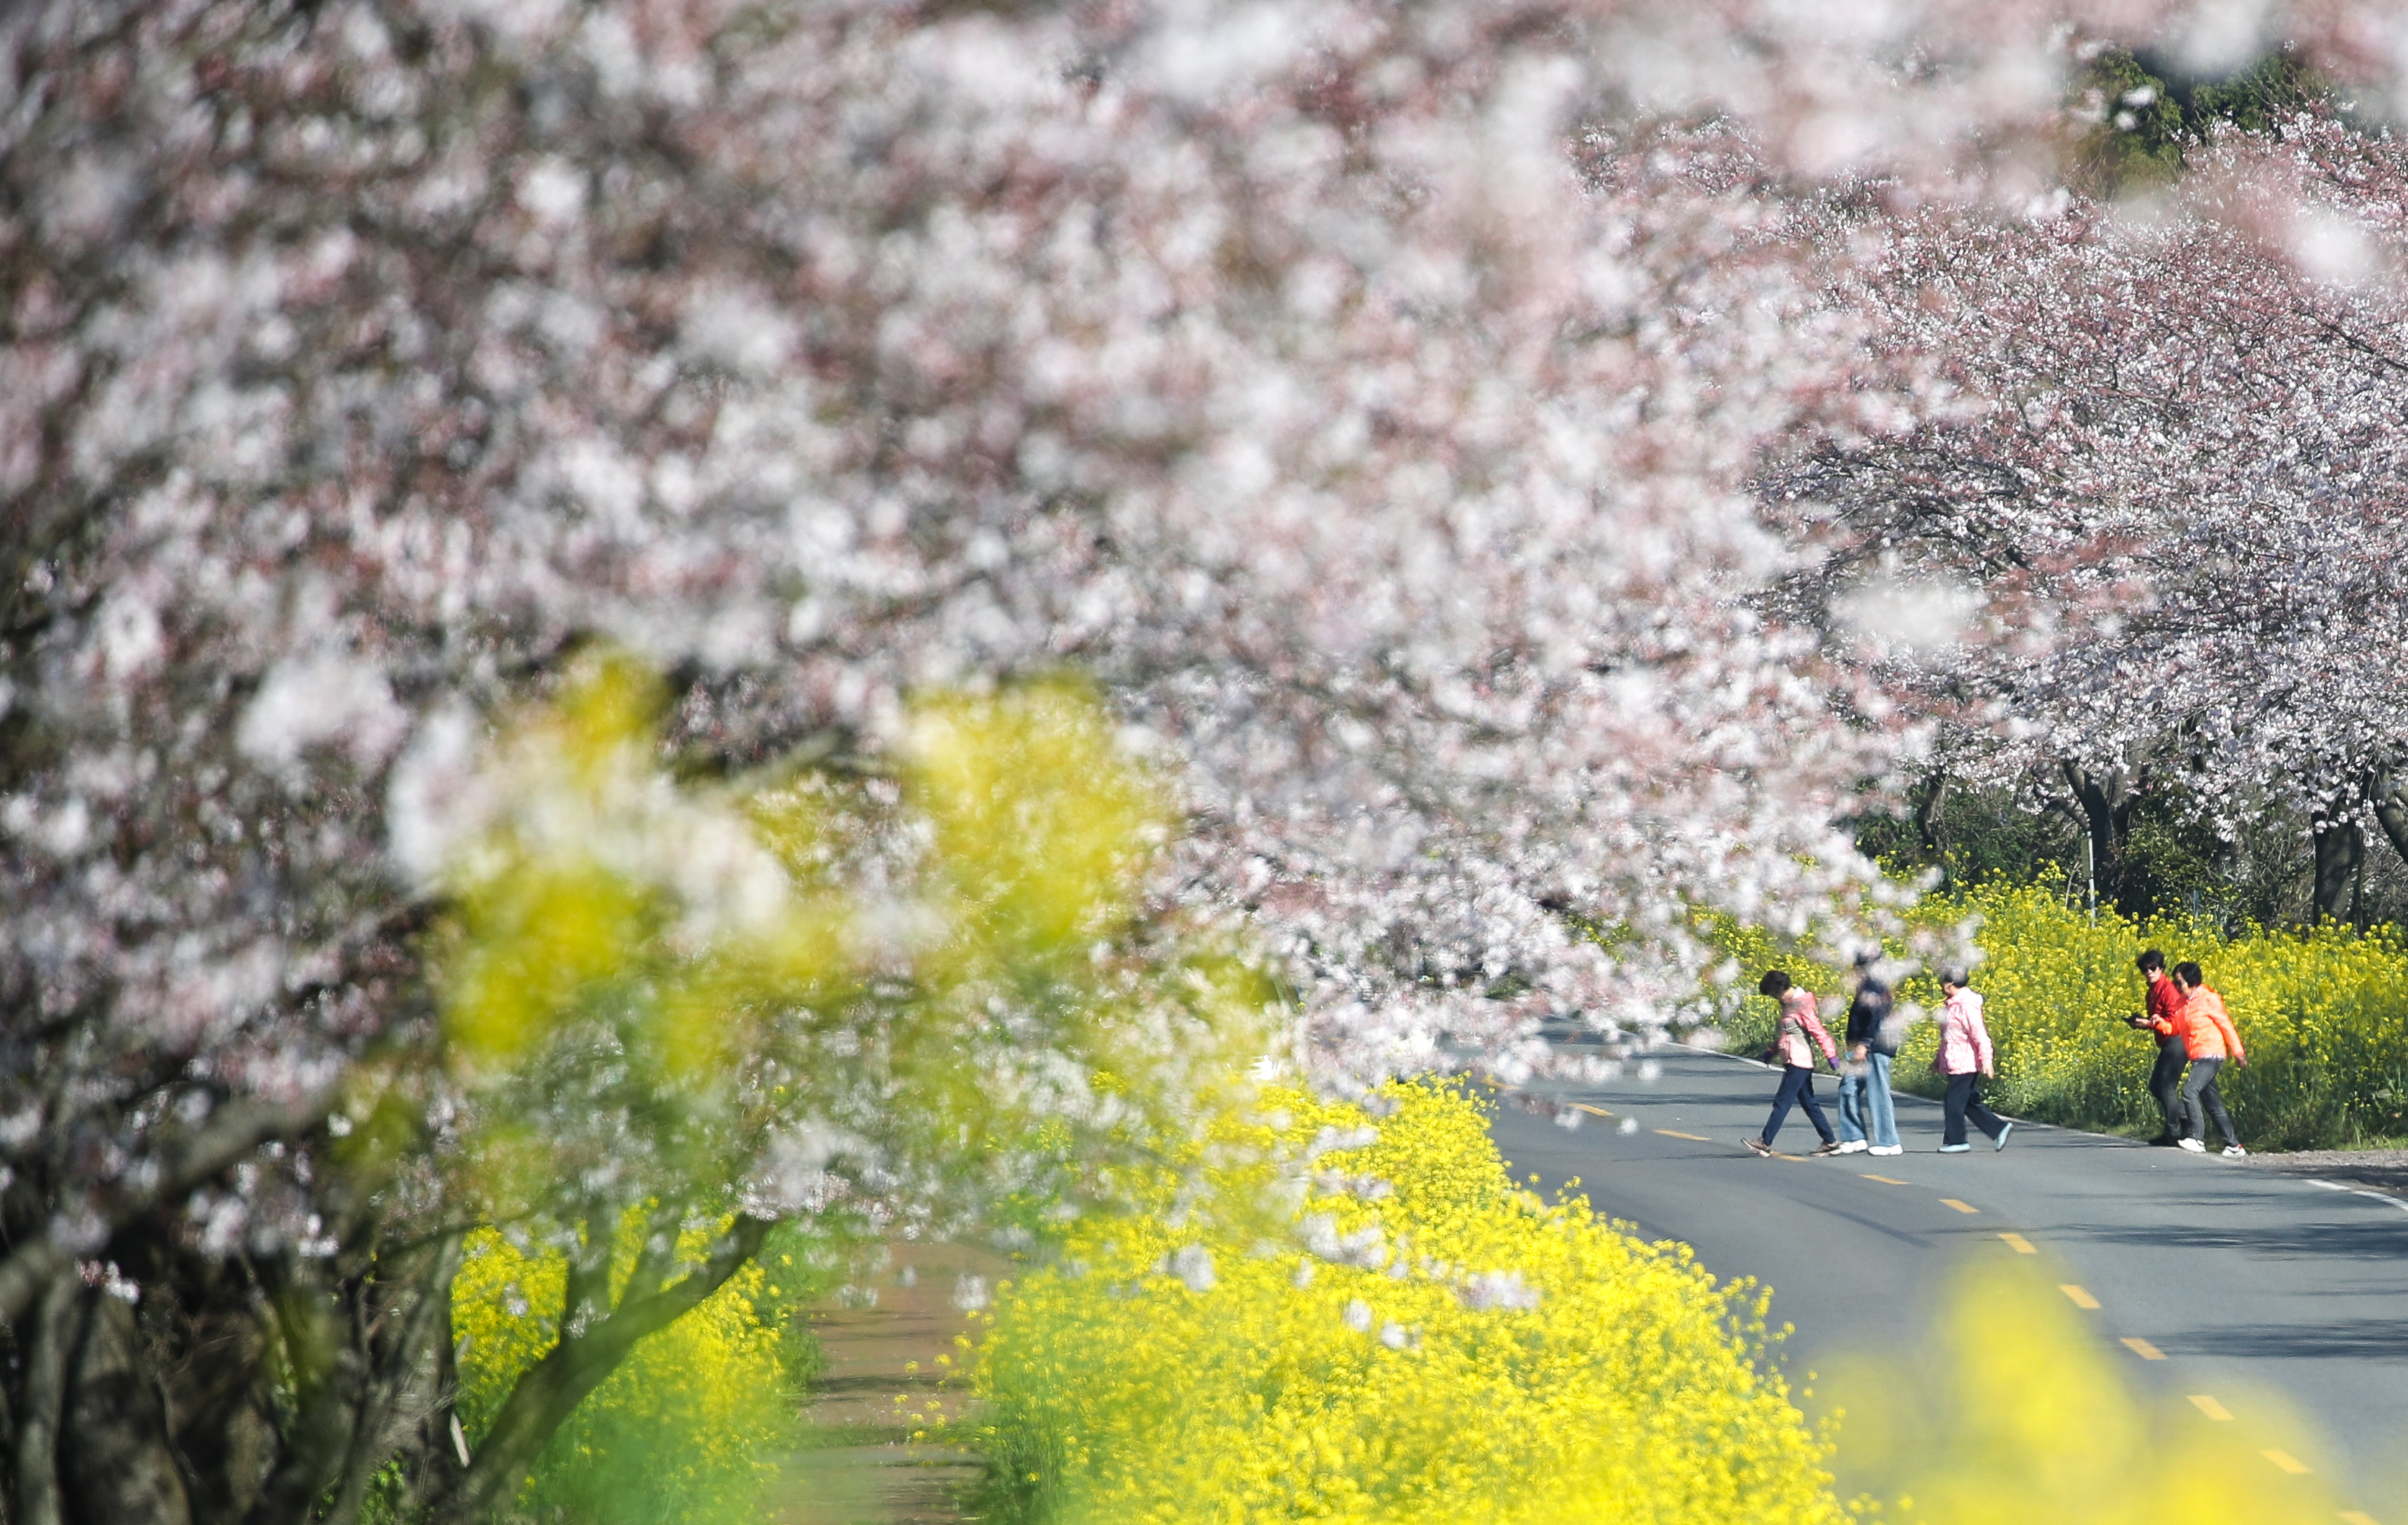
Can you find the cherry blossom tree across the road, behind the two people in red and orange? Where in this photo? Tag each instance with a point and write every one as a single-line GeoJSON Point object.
{"type": "Point", "coordinates": [2173, 437]}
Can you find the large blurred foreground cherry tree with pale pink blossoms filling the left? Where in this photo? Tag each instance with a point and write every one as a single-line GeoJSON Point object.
{"type": "Point", "coordinates": [1362, 399]}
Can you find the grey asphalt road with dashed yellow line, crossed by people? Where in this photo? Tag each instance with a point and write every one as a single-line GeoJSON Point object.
{"type": "Point", "coordinates": [2207, 1278]}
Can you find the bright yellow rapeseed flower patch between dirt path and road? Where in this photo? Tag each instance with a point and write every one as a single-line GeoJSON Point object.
{"type": "Point", "coordinates": [1480, 1358]}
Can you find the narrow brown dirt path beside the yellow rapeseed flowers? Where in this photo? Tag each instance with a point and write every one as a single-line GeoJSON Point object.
{"type": "Point", "coordinates": [861, 1468]}
